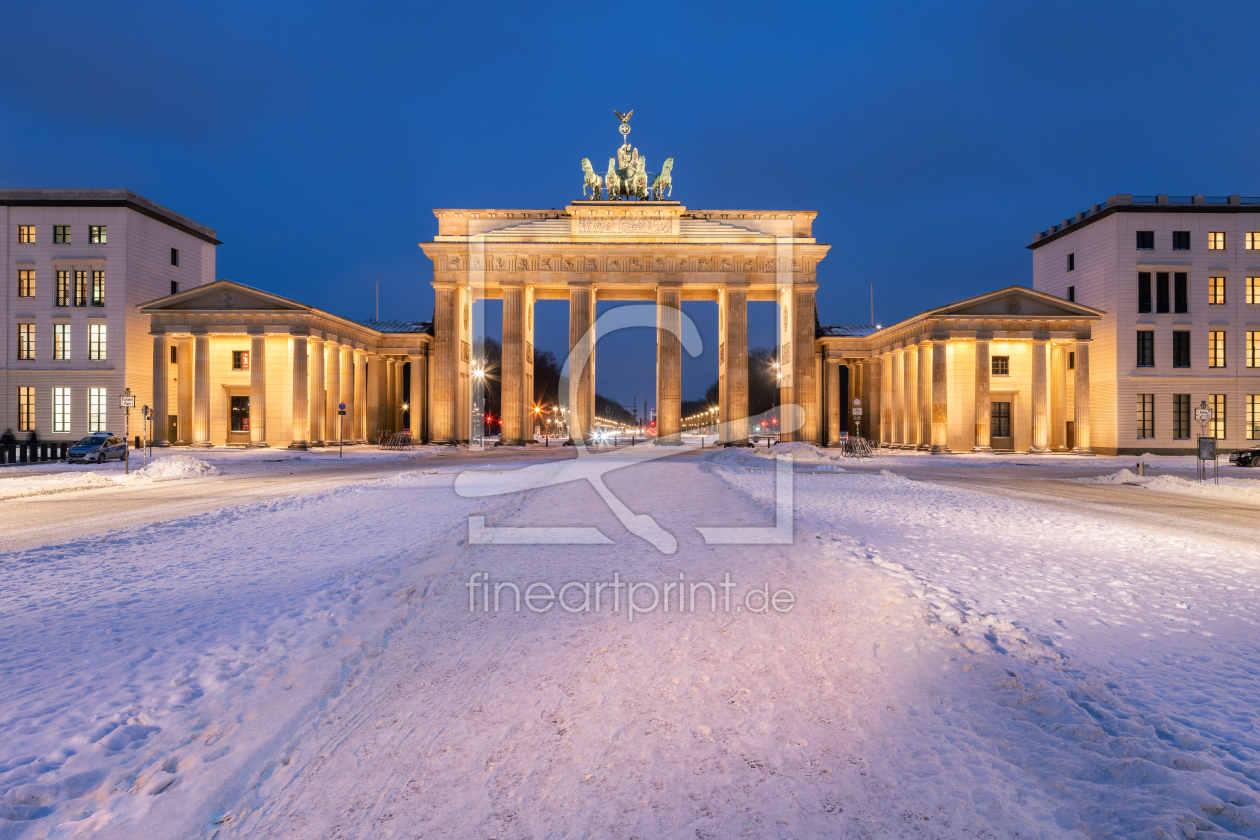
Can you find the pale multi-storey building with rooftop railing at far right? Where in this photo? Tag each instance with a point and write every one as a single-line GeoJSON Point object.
{"type": "Point", "coordinates": [1177, 279]}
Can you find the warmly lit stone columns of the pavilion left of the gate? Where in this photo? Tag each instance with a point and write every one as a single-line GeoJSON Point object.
{"type": "Point", "coordinates": [326, 373]}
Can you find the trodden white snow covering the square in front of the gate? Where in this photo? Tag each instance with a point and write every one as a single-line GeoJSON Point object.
{"type": "Point", "coordinates": [954, 664]}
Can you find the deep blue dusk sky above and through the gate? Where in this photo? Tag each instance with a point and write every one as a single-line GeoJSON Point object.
{"type": "Point", "coordinates": [933, 139]}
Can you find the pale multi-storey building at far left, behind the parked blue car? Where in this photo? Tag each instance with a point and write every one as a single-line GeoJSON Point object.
{"type": "Point", "coordinates": [77, 265]}
